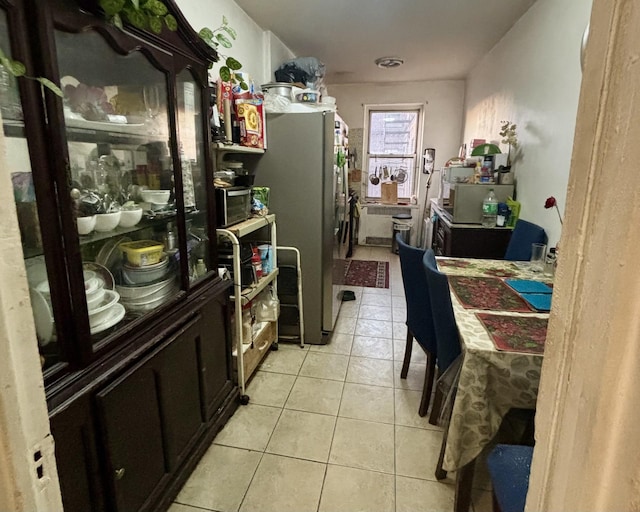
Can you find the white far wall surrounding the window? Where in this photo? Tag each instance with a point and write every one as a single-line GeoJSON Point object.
{"type": "Point", "coordinates": [444, 111]}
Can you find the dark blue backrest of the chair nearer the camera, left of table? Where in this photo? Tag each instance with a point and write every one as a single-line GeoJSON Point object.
{"type": "Point", "coordinates": [444, 322]}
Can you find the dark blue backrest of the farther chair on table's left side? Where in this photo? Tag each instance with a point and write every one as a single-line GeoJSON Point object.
{"type": "Point", "coordinates": [419, 320]}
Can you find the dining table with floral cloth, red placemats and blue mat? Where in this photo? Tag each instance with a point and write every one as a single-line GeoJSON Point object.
{"type": "Point", "coordinates": [501, 310]}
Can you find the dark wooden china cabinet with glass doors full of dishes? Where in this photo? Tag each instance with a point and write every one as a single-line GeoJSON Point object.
{"type": "Point", "coordinates": [117, 220]}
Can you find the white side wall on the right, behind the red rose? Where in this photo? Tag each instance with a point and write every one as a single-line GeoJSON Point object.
{"type": "Point", "coordinates": [532, 77]}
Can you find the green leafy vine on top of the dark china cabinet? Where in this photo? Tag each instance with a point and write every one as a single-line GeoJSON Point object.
{"type": "Point", "coordinates": [143, 14]}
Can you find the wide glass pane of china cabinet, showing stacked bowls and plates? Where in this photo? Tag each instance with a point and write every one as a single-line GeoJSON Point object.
{"type": "Point", "coordinates": [117, 126]}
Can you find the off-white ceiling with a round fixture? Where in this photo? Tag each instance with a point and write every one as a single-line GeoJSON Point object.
{"type": "Point", "coordinates": [438, 39]}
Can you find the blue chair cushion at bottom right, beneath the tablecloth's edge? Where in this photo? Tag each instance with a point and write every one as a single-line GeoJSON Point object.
{"type": "Point", "coordinates": [509, 467]}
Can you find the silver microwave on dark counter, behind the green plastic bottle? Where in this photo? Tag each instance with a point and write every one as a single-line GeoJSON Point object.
{"type": "Point", "coordinates": [465, 201]}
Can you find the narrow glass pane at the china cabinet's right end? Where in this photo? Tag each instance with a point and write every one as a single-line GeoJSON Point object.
{"type": "Point", "coordinates": [192, 141]}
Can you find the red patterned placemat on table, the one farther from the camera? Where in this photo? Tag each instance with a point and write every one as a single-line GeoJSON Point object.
{"type": "Point", "coordinates": [487, 293]}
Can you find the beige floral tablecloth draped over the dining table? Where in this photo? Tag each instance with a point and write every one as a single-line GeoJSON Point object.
{"type": "Point", "coordinates": [491, 381]}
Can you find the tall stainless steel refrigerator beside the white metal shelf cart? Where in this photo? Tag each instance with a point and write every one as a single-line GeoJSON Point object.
{"type": "Point", "coordinates": [308, 194]}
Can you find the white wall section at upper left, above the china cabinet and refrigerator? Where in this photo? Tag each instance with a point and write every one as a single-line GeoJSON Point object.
{"type": "Point", "coordinates": [259, 52]}
